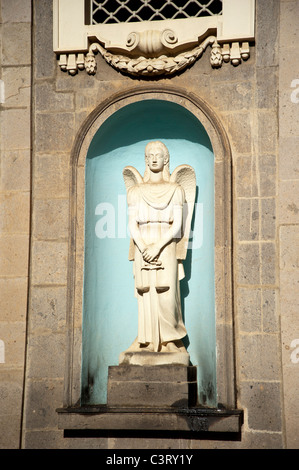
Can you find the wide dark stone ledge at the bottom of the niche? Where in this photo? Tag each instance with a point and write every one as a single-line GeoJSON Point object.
{"type": "Point", "coordinates": [150, 419]}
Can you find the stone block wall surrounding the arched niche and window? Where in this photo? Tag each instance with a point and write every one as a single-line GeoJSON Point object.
{"type": "Point", "coordinates": [254, 105]}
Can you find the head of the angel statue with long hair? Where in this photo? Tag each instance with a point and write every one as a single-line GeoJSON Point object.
{"type": "Point", "coordinates": [156, 159]}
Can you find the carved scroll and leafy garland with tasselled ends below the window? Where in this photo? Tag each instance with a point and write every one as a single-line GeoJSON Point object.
{"type": "Point", "coordinates": [149, 53]}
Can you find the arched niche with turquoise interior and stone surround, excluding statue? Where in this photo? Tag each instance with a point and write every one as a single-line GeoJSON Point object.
{"type": "Point", "coordinates": [102, 309]}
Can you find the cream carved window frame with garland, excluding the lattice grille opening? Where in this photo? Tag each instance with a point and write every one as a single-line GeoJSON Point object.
{"type": "Point", "coordinates": [76, 42]}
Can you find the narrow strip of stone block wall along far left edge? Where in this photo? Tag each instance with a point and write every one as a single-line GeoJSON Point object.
{"type": "Point", "coordinates": [15, 158]}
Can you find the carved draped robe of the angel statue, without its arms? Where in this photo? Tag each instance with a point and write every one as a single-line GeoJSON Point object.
{"type": "Point", "coordinates": [157, 289]}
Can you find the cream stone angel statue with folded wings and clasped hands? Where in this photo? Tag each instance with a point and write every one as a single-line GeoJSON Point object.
{"type": "Point", "coordinates": [160, 209]}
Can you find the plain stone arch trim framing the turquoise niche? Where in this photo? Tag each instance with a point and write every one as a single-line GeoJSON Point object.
{"type": "Point", "coordinates": [223, 234]}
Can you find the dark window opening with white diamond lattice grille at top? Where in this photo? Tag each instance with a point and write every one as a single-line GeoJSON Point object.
{"type": "Point", "coordinates": [116, 11]}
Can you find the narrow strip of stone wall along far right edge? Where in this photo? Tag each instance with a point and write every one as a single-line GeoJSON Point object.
{"type": "Point", "coordinates": [288, 213]}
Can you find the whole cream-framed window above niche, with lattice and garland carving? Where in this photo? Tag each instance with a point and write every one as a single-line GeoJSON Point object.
{"type": "Point", "coordinates": [151, 37]}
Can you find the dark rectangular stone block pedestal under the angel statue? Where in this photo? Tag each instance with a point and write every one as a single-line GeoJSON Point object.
{"type": "Point", "coordinates": [170, 385]}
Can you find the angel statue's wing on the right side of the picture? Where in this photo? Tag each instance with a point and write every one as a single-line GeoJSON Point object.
{"type": "Point", "coordinates": [184, 175]}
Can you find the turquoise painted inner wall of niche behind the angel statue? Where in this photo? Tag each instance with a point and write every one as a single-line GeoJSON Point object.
{"type": "Point", "coordinates": [109, 305]}
